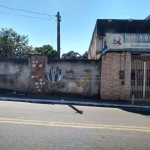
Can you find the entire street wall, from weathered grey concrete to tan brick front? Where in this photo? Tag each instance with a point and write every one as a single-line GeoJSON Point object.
{"type": "Point", "coordinates": [38, 74]}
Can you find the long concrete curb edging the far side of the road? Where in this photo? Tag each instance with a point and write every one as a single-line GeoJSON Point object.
{"type": "Point", "coordinates": [71, 102]}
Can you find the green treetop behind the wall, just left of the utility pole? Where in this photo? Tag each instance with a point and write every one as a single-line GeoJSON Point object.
{"type": "Point", "coordinates": [47, 50]}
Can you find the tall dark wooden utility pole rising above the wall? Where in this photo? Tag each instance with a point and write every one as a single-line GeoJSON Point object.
{"type": "Point", "coordinates": [58, 35]}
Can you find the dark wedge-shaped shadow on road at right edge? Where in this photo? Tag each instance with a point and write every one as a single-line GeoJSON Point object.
{"type": "Point", "coordinates": [145, 112]}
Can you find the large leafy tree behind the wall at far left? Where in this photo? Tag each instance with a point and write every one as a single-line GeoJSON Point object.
{"type": "Point", "coordinates": [13, 45]}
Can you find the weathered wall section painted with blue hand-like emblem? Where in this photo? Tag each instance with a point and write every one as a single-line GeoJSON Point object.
{"type": "Point", "coordinates": [73, 76]}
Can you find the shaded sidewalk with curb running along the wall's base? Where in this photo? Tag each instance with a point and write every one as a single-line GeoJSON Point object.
{"type": "Point", "coordinates": [47, 99]}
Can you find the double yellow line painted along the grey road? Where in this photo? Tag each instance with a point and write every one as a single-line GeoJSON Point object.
{"type": "Point", "coordinates": [73, 125]}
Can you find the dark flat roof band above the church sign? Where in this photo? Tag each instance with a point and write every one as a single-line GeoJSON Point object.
{"type": "Point", "coordinates": [122, 26]}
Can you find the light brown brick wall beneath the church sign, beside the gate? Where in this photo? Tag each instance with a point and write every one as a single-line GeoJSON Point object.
{"type": "Point", "coordinates": [111, 87]}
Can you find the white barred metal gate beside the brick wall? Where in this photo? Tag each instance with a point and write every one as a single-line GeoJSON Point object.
{"type": "Point", "coordinates": [140, 78]}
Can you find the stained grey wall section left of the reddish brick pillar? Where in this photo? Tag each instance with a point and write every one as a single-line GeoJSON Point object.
{"type": "Point", "coordinates": [14, 74]}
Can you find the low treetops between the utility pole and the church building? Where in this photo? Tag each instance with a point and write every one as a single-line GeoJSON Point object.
{"type": "Point", "coordinates": [74, 55]}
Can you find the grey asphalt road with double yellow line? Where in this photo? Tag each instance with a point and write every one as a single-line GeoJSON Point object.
{"type": "Point", "coordinates": [30, 126]}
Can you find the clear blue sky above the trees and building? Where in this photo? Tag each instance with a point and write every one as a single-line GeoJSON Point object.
{"type": "Point", "coordinates": [78, 19]}
